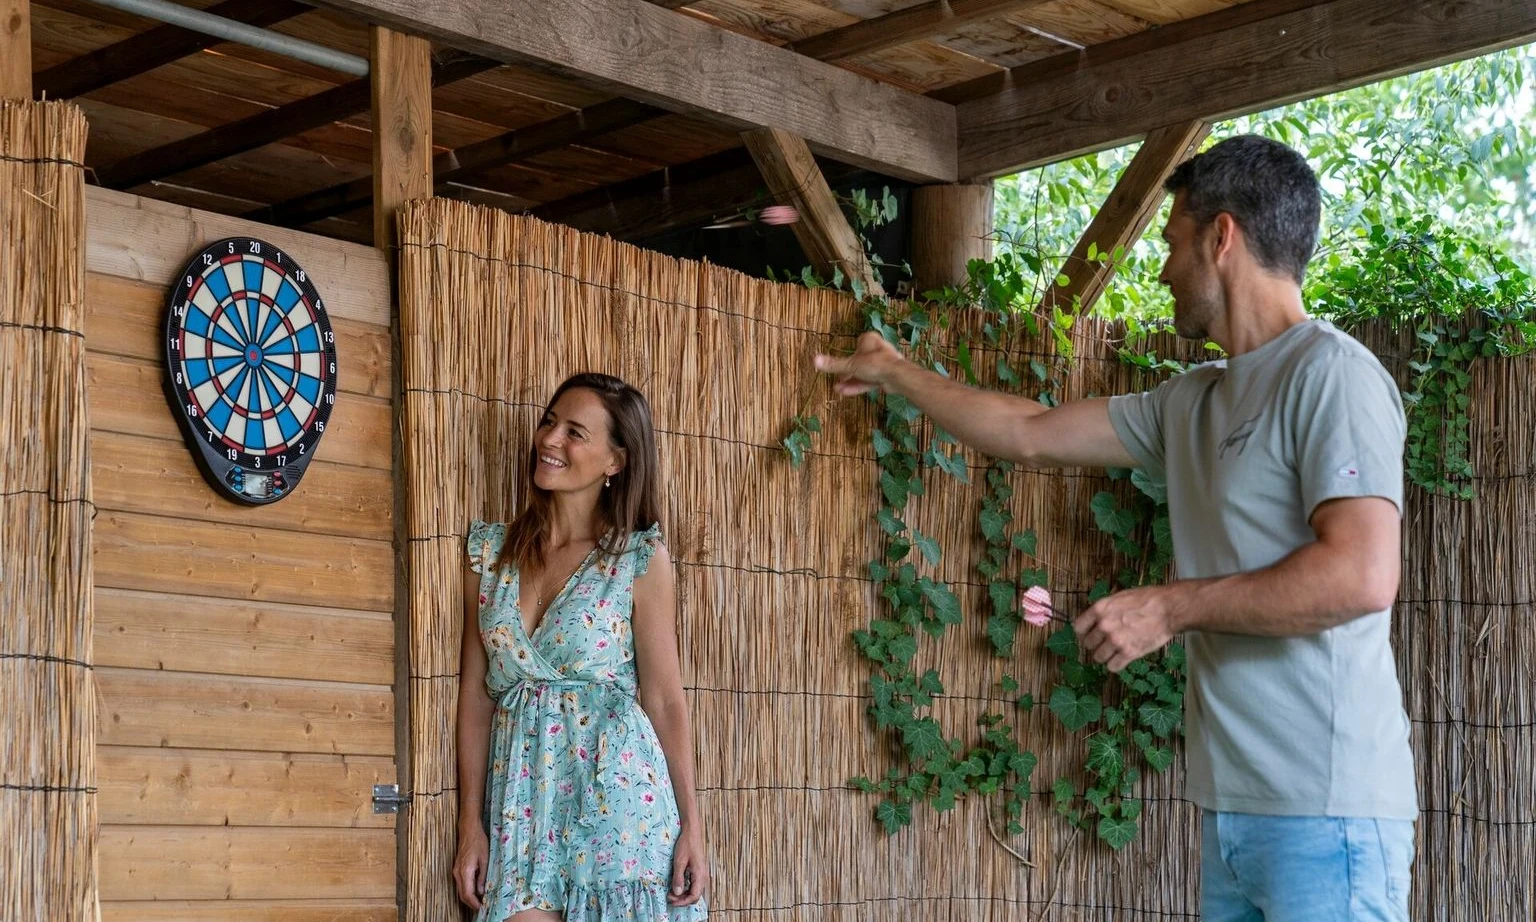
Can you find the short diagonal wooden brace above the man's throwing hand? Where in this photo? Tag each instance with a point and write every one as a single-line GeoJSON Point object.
{"type": "Point", "coordinates": [824, 231]}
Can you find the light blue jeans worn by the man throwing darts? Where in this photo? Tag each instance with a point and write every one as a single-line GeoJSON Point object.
{"type": "Point", "coordinates": [1305, 869]}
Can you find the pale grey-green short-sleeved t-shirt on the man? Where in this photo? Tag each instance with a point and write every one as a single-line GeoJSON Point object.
{"type": "Point", "coordinates": [1306, 726]}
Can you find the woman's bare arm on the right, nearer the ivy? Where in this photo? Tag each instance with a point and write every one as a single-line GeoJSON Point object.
{"type": "Point", "coordinates": [667, 708]}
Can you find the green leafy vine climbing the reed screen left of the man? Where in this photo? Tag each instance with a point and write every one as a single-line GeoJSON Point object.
{"type": "Point", "coordinates": [1128, 720]}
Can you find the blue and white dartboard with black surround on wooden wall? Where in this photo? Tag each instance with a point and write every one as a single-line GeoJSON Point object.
{"type": "Point", "coordinates": [251, 366]}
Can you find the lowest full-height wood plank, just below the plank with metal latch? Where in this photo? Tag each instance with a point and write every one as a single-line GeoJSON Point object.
{"type": "Point", "coordinates": [191, 863]}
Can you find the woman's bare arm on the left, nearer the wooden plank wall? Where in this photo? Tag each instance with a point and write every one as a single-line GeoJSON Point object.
{"type": "Point", "coordinates": [474, 745]}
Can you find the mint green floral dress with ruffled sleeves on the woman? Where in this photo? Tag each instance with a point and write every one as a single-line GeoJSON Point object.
{"type": "Point", "coordinates": [580, 808]}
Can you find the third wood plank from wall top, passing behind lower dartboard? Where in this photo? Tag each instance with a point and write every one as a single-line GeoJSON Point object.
{"type": "Point", "coordinates": [128, 396]}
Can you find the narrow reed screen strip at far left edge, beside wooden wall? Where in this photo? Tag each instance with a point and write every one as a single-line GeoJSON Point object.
{"type": "Point", "coordinates": [48, 806]}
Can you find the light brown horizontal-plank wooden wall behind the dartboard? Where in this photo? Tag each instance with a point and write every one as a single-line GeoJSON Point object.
{"type": "Point", "coordinates": [245, 655]}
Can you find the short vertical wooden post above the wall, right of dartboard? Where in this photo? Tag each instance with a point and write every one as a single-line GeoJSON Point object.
{"type": "Point", "coordinates": [402, 76]}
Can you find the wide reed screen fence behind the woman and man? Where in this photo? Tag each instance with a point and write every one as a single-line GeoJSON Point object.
{"type": "Point", "coordinates": [498, 310]}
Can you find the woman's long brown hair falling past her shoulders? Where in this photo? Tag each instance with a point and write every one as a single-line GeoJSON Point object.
{"type": "Point", "coordinates": [624, 508]}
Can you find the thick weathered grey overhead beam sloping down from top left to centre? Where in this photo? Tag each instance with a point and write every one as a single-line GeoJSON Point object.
{"type": "Point", "coordinates": [684, 65]}
